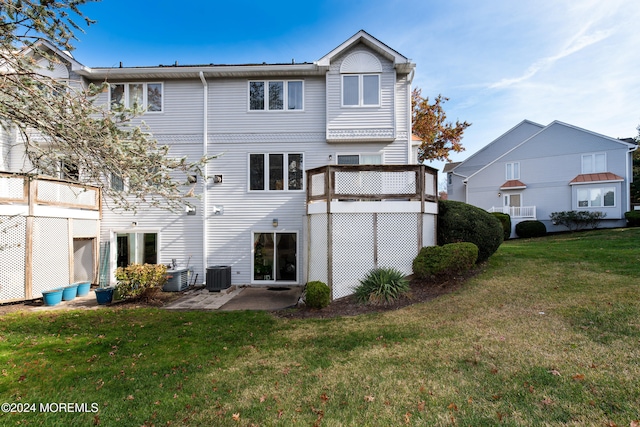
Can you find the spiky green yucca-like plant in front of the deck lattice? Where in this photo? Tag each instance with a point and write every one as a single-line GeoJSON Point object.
{"type": "Point", "coordinates": [382, 286]}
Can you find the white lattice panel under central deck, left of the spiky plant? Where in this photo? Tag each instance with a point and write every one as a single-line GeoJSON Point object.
{"type": "Point", "coordinates": [353, 241]}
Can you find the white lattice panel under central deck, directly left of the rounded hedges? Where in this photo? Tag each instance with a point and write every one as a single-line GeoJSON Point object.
{"type": "Point", "coordinates": [397, 240]}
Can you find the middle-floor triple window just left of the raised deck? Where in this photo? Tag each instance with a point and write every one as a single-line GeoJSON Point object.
{"type": "Point", "coordinates": [275, 172]}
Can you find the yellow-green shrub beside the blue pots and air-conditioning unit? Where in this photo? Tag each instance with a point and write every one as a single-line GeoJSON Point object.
{"type": "Point", "coordinates": [138, 280]}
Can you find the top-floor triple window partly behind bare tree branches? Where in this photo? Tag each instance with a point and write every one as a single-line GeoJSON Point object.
{"type": "Point", "coordinates": [144, 96]}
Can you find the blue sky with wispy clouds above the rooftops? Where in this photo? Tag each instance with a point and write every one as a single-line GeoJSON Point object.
{"type": "Point", "coordinates": [499, 61]}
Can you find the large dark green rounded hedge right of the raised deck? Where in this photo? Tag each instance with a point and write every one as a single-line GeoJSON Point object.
{"type": "Point", "coordinates": [461, 222]}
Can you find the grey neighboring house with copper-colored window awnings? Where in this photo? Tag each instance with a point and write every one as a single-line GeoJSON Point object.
{"type": "Point", "coordinates": [534, 170]}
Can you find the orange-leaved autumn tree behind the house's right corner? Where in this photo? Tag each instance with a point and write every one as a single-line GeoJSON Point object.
{"type": "Point", "coordinates": [439, 138]}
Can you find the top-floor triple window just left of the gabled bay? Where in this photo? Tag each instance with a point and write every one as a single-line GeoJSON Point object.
{"type": "Point", "coordinates": [277, 95]}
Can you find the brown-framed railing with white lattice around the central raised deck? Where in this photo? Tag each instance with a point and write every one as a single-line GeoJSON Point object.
{"type": "Point", "coordinates": [372, 183]}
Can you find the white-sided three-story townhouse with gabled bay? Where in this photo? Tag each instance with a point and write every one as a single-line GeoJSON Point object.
{"type": "Point", "coordinates": [268, 123]}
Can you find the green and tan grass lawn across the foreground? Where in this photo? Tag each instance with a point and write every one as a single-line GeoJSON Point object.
{"type": "Point", "coordinates": [548, 334]}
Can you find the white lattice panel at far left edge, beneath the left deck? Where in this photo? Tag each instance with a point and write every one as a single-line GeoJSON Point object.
{"type": "Point", "coordinates": [12, 250]}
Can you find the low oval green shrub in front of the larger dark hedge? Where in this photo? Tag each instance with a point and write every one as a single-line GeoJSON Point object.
{"type": "Point", "coordinates": [445, 261]}
